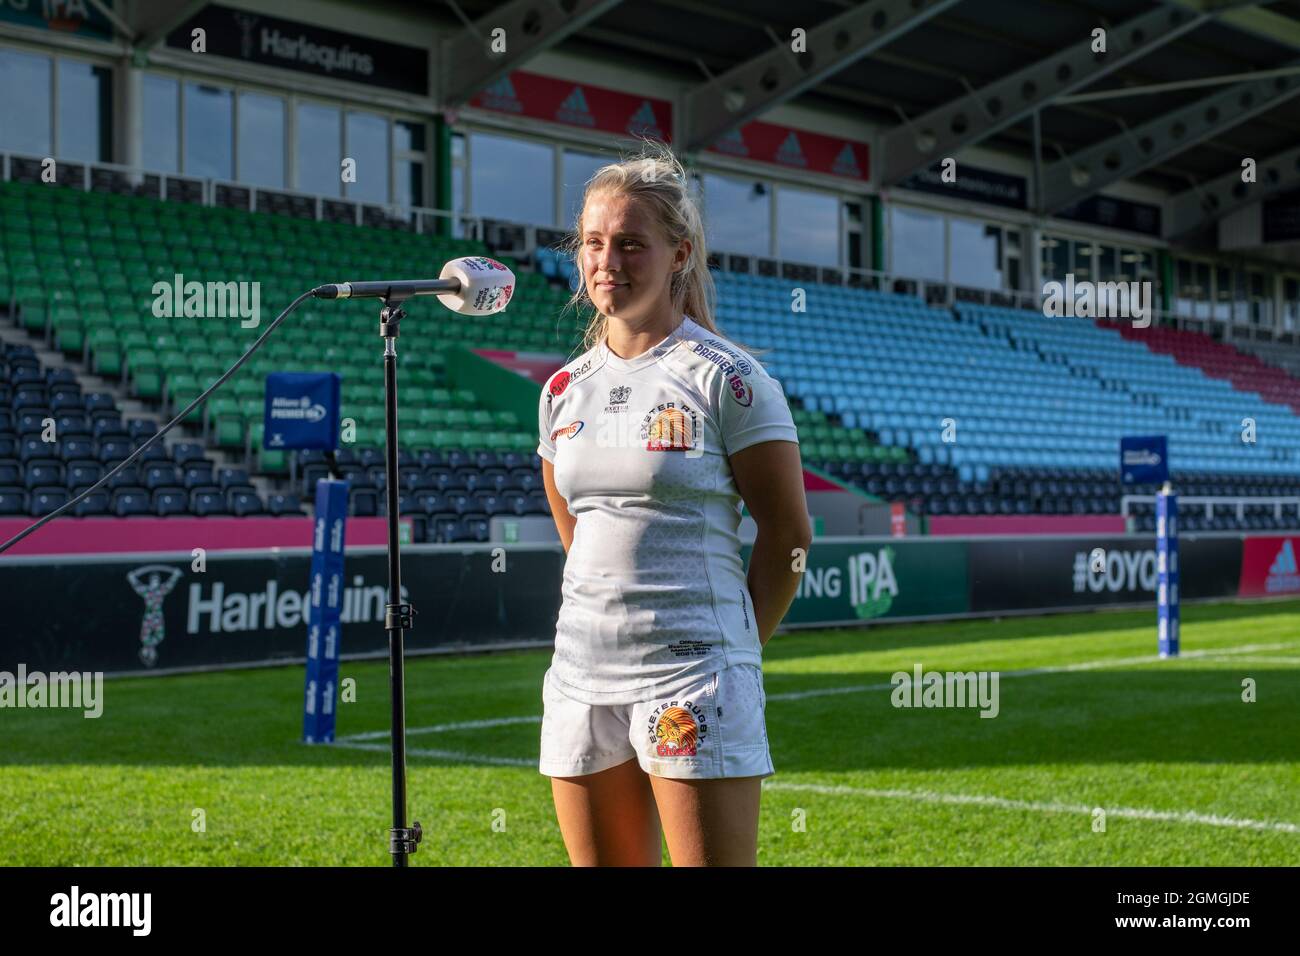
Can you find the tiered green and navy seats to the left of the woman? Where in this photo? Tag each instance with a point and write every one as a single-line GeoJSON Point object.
{"type": "Point", "coordinates": [86, 291]}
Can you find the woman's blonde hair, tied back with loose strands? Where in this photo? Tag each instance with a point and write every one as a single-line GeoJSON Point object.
{"type": "Point", "coordinates": [656, 178]}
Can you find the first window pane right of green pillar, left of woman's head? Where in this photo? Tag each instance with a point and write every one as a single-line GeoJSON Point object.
{"type": "Point", "coordinates": [513, 180]}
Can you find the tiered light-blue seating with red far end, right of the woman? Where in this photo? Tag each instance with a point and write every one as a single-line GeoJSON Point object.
{"type": "Point", "coordinates": [1051, 400]}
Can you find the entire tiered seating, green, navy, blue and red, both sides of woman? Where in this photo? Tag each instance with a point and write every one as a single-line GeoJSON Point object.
{"type": "Point", "coordinates": [881, 383]}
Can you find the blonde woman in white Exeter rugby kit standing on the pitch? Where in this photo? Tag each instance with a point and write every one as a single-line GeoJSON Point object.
{"type": "Point", "coordinates": [655, 704]}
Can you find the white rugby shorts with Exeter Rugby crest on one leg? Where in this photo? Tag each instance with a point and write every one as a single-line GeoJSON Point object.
{"type": "Point", "coordinates": [714, 728]}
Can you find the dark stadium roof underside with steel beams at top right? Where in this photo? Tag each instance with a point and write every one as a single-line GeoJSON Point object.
{"type": "Point", "coordinates": [938, 76]}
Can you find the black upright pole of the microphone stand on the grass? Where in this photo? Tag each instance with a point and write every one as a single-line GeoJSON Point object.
{"type": "Point", "coordinates": [397, 620]}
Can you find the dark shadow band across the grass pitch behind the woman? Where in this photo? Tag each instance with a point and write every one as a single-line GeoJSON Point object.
{"type": "Point", "coordinates": [1159, 713]}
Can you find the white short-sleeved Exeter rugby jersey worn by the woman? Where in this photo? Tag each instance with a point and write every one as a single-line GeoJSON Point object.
{"type": "Point", "coordinates": [655, 590]}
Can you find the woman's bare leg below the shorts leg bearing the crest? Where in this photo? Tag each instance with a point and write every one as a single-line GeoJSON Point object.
{"type": "Point", "coordinates": [710, 823]}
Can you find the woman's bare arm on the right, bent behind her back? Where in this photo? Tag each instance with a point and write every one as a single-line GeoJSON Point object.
{"type": "Point", "coordinates": [770, 479]}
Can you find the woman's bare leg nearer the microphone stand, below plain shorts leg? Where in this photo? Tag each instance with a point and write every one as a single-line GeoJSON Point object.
{"type": "Point", "coordinates": [609, 819]}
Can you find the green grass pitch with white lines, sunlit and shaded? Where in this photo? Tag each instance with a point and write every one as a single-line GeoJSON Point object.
{"type": "Point", "coordinates": [1185, 771]}
